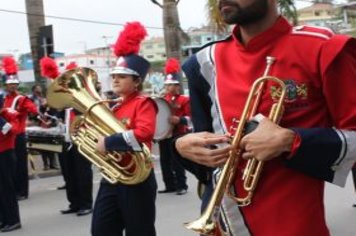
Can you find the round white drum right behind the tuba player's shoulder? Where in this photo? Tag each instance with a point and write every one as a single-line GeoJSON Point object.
{"type": "Point", "coordinates": [163, 126]}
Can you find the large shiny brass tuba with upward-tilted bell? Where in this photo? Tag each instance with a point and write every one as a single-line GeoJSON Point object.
{"type": "Point", "coordinates": [76, 89]}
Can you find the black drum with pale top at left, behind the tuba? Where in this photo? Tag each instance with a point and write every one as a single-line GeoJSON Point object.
{"type": "Point", "coordinates": [42, 139]}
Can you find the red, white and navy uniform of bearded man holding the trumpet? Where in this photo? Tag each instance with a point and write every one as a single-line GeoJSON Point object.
{"type": "Point", "coordinates": [319, 69]}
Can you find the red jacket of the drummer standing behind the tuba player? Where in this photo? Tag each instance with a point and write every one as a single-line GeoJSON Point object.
{"type": "Point", "coordinates": [180, 107]}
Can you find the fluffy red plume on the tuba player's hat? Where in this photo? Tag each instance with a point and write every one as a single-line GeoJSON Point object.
{"type": "Point", "coordinates": [130, 39]}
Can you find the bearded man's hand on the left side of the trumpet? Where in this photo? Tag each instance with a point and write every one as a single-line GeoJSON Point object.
{"type": "Point", "coordinates": [197, 147]}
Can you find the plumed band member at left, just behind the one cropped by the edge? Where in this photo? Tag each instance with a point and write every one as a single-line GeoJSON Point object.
{"type": "Point", "coordinates": [24, 106]}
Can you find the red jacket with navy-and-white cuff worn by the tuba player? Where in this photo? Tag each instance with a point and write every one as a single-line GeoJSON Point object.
{"type": "Point", "coordinates": [138, 114]}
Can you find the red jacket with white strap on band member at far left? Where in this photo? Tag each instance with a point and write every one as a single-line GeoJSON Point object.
{"type": "Point", "coordinates": [23, 105]}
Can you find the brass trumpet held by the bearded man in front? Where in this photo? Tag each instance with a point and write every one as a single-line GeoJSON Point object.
{"type": "Point", "coordinates": [208, 223]}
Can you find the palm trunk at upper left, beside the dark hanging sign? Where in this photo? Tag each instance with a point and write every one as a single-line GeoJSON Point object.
{"type": "Point", "coordinates": [35, 20]}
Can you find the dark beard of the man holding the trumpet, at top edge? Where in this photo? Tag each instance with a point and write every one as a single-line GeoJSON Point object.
{"type": "Point", "coordinates": [256, 11]}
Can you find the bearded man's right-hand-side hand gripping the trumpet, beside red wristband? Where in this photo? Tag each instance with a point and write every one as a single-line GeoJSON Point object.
{"type": "Point", "coordinates": [267, 141]}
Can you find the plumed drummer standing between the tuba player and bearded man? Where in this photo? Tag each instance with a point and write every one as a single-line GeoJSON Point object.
{"type": "Point", "coordinates": [172, 171]}
